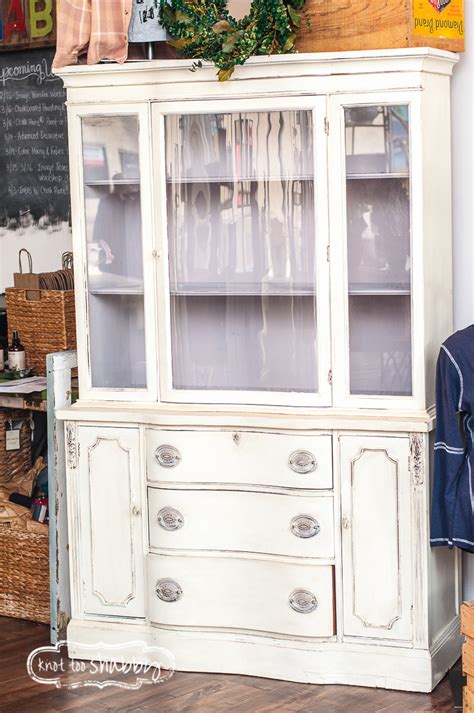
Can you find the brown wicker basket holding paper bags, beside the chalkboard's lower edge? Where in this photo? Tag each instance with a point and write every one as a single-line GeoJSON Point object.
{"type": "Point", "coordinates": [45, 325]}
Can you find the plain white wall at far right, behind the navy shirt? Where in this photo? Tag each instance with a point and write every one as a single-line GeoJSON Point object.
{"type": "Point", "coordinates": [463, 205]}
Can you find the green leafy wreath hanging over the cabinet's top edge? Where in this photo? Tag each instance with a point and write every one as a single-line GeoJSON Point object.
{"type": "Point", "coordinates": [206, 31]}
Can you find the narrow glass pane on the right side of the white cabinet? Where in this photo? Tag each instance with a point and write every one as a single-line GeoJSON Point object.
{"type": "Point", "coordinates": [379, 249]}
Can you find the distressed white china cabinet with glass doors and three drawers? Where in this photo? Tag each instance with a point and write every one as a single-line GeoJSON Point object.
{"type": "Point", "coordinates": [263, 271]}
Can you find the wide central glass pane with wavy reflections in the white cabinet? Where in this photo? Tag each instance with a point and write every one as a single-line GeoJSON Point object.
{"type": "Point", "coordinates": [241, 231]}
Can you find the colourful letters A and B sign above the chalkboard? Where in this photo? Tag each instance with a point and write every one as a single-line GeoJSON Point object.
{"type": "Point", "coordinates": [25, 24]}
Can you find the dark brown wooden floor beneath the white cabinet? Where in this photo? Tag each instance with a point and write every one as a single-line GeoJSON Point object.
{"type": "Point", "coordinates": [191, 692]}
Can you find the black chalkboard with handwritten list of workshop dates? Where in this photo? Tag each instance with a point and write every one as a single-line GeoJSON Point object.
{"type": "Point", "coordinates": [34, 184]}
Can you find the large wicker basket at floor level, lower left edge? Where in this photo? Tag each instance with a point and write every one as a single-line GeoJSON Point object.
{"type": "Point", "coordinates": [24, 574]}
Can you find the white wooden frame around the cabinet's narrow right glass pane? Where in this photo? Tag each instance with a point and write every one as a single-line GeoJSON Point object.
{"type": "Point", "coordinates": [340, 307]}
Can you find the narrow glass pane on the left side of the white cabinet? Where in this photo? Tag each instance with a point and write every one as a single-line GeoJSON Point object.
{"type": "Point", "coordinates": [114, 251]}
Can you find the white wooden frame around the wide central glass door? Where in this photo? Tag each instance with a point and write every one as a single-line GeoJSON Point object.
{"type": "Point", "coordinates": [317, 106]}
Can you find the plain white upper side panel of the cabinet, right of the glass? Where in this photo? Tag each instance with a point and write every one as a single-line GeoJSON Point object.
{"type": "Point", "coordinates": [437, 277]}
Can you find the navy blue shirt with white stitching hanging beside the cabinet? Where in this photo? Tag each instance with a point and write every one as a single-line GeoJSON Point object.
{"type": "Point", "coordinates": [452, 509]}
